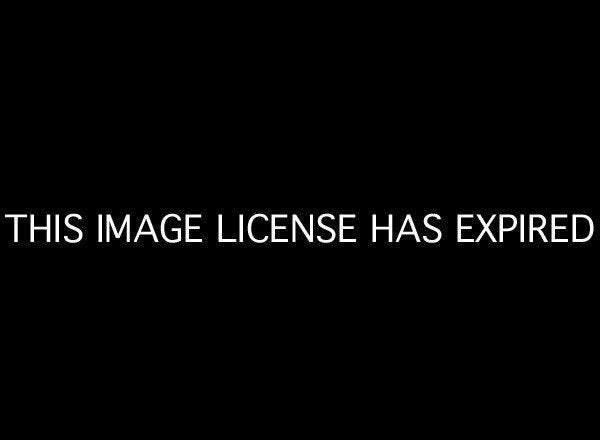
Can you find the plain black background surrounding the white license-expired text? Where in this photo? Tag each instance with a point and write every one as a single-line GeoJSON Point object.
{"type": "Point", "coordinates": [368, 113]}
